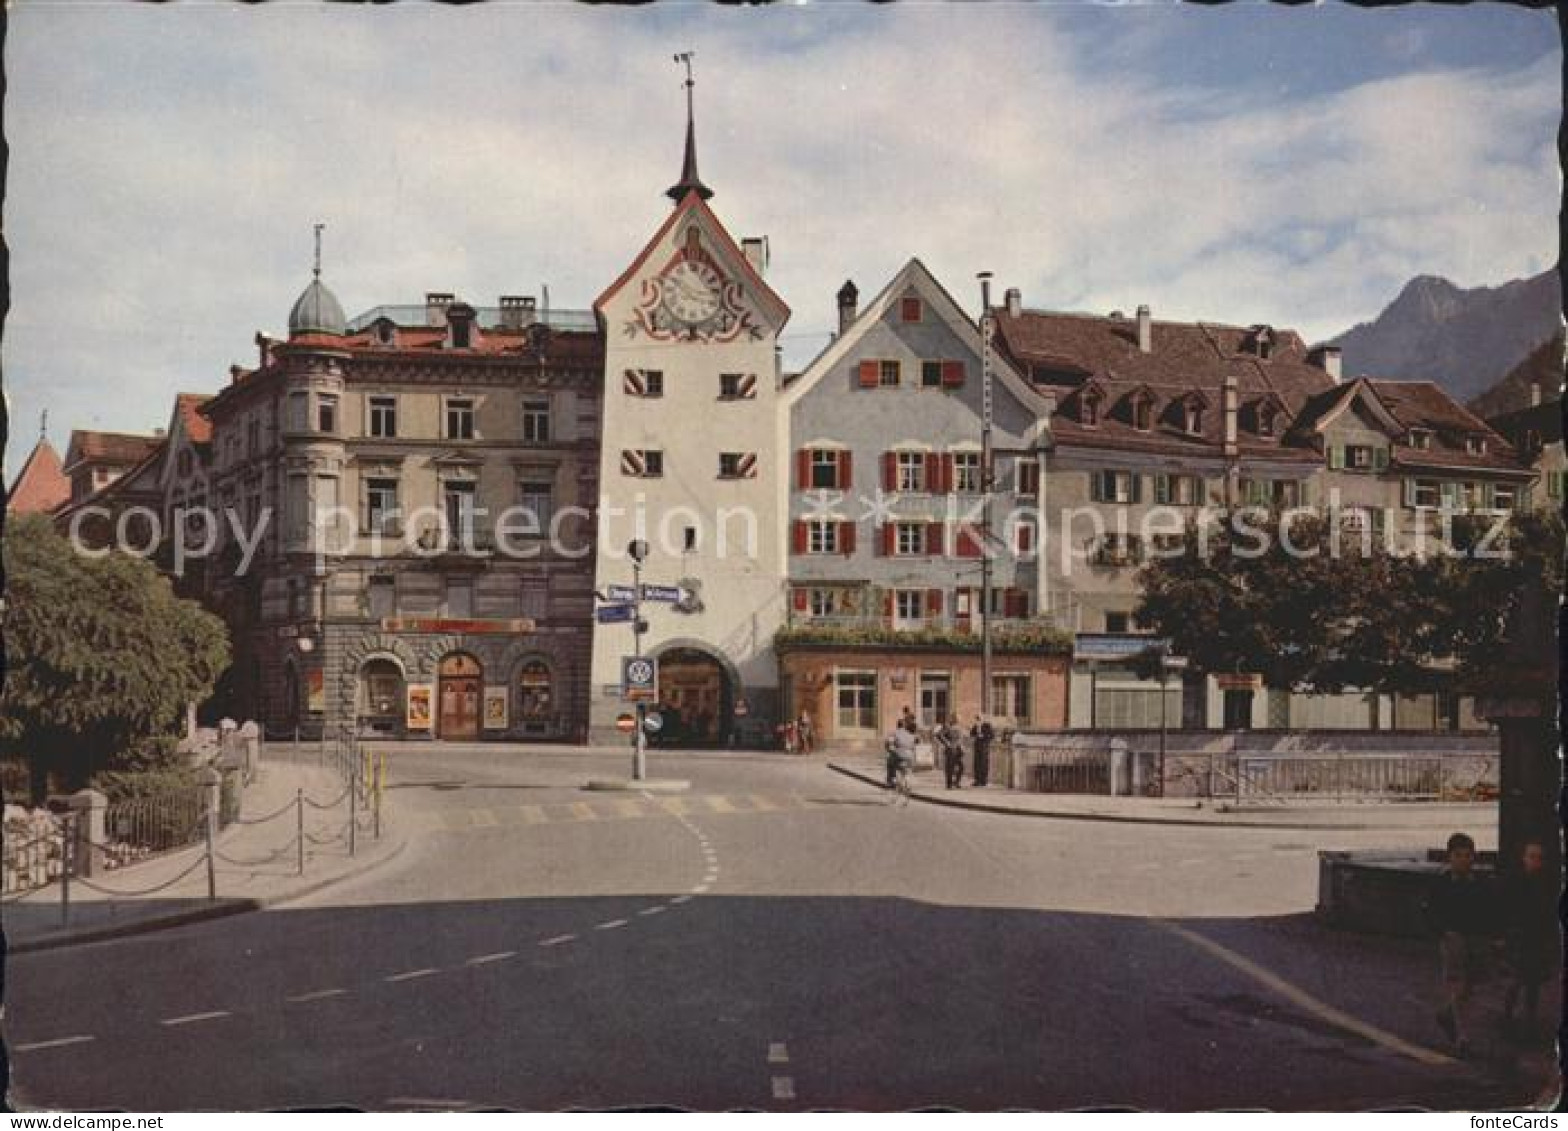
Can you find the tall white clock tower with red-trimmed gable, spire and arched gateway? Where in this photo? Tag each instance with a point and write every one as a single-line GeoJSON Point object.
{"type": "Point", "coordinates": [694, 465]}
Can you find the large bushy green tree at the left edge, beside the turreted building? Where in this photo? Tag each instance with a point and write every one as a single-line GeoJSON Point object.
{"type": "Point", "coordinates": [101, 660]}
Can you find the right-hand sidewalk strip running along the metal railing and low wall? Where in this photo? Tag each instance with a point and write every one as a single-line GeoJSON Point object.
{"type": "Point", "coordinates": [1348, 816]}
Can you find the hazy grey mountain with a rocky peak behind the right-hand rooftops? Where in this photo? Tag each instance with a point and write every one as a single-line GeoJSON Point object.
{"type": "Point", "coordinates": [1462, 340]}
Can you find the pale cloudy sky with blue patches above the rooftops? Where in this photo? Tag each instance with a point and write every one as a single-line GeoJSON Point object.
{"type": "Point", "coordinates": [1240, 164]}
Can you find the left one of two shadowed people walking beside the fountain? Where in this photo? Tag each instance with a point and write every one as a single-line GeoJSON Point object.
{"type": "Point", "coordinates": [1461, 914]}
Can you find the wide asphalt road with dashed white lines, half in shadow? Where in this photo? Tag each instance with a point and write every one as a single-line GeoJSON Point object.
{"type": "Point", "coordinates": [779, 937]}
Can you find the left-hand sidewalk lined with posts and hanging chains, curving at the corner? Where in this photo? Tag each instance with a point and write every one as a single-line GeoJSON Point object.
{"type": "Point", "coordinates": [256, 865]}
